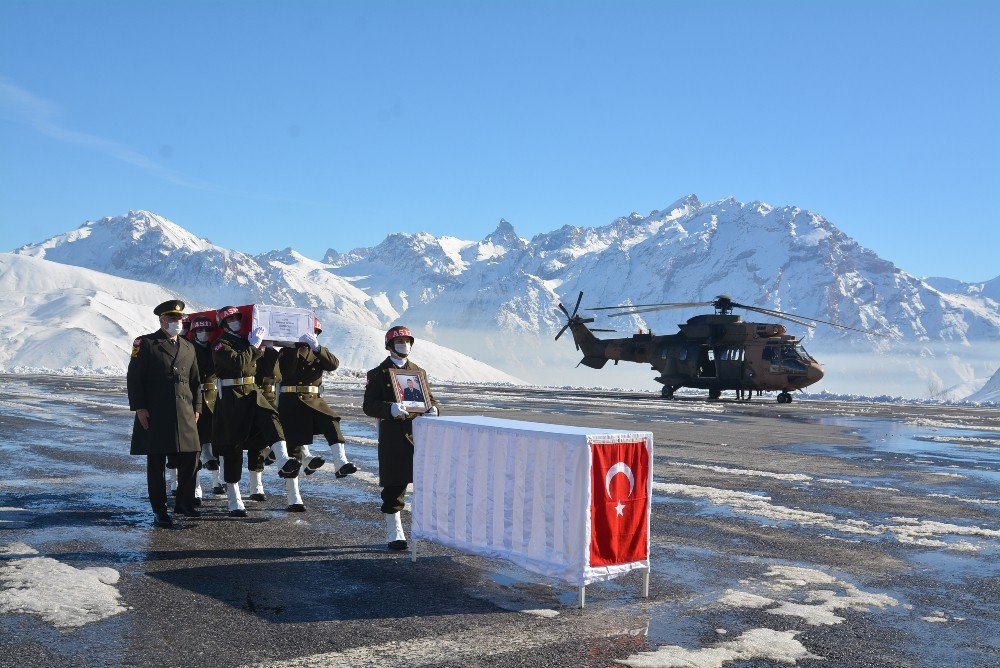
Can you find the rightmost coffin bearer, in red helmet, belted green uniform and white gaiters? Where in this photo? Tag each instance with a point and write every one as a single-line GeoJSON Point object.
{"type": "Point", "coordinates": [303, 411]}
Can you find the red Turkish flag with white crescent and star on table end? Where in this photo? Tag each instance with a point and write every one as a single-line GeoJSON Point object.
{"type": "Point", "coordinates": [619, 507]}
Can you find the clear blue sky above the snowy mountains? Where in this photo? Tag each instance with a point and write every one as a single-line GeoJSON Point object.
{"type": "Point", "coordinates": [325, 124]}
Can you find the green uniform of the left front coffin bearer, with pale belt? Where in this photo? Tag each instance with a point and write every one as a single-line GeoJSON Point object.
{"type": "Point", "coordinates": [244, 416]}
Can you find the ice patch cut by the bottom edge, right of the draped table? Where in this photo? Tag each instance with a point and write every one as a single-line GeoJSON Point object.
{"type": "Point", "coordinates": [756, 644]}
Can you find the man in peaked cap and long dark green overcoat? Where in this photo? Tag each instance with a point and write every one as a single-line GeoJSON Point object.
{"type": "Point", "coordinates": [163, 391]}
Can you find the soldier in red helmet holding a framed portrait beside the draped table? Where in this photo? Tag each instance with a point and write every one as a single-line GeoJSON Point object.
{"type": "Point", "coordinates": [395, 431]}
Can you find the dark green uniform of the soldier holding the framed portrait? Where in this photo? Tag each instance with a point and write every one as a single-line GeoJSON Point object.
{"type": "Point", "coordinates": [395, 445]}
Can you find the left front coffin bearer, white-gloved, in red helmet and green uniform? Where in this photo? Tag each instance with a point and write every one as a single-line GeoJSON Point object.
{"type": "Point", "coordinates": [242, 407]}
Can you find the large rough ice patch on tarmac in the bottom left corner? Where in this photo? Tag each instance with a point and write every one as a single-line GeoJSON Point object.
{"type": "Point", "coordinates": [60, 594]}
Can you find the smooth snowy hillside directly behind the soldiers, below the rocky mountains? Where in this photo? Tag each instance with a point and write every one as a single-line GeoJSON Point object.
{"type": "Point", "coordinates": [57, 317]}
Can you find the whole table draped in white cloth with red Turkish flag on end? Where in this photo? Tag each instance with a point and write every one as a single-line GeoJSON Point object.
{"type": "Point", "coordinates": [570, 503]}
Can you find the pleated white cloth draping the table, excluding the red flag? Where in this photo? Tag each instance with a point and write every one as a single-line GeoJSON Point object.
{"type": "Point", "coordinates": [511, 489]}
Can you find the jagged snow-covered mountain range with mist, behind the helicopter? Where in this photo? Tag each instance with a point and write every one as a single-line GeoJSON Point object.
{"type": "Point", "coordinates": [495, 299]}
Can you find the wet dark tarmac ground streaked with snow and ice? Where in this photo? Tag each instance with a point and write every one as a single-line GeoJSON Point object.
{"type": "Point", "coordinates": [818, 533]}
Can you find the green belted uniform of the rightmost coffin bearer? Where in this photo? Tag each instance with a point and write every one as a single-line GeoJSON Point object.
{"type": "Point", "coordinates": [305, 413]}
